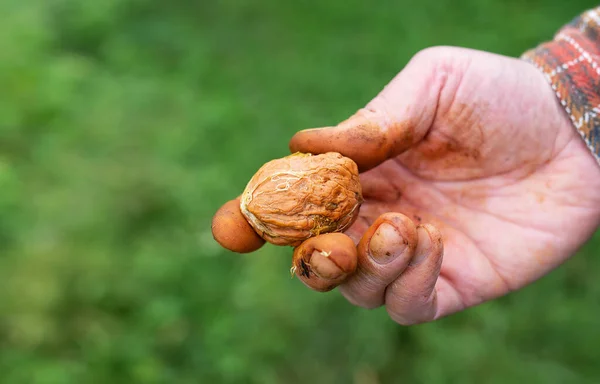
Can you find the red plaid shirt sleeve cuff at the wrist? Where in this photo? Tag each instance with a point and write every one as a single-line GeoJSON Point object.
{"type": "Point", "coordinates": [571, 65]}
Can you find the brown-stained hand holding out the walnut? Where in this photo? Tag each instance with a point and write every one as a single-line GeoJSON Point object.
{"type": "Point", "coordinates": [475, 182]}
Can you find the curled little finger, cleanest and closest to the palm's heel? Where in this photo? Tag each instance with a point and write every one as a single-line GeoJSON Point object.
{"type": "Point", "coordinates": [412, 298]}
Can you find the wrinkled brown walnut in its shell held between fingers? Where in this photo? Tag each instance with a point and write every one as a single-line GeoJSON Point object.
{"type": "Point", "coordinates": [302, 195]}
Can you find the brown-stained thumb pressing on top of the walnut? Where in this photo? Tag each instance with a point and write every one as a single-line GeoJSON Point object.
{"type": "Point", "coordinates": [396, 119]}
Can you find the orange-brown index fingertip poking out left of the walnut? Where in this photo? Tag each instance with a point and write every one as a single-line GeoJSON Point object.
{"type": "Point", "coordinates": [232, 231]}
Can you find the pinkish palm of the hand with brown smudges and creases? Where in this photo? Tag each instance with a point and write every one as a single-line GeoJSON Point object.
{"type": "Point", "coordinates": [501, 173]}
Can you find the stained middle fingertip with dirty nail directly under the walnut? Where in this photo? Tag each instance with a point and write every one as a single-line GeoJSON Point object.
{"type": "Point", "coordinates": [325, 261]}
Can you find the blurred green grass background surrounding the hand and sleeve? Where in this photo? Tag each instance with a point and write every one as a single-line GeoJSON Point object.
{"type": "Point", "coordinates": [126, 124]}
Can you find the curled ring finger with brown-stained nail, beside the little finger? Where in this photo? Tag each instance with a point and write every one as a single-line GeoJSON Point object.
{"type": "Point", "coordinates": [384, 252]}
